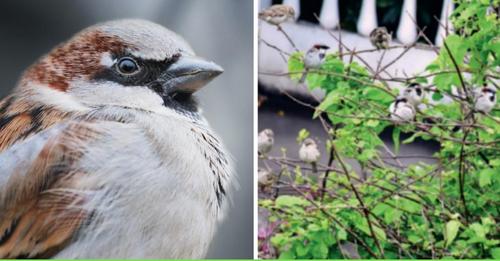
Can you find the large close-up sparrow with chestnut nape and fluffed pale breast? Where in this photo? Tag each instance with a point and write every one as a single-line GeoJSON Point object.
{"type": "Point", "coordinates": [105, 154]}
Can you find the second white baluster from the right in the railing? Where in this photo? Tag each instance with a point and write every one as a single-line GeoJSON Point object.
{"type": "Point", "coordinates": [407, 29]}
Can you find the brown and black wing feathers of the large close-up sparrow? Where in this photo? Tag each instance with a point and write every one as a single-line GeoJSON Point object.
{"type": "Point", "coordinates": [40, 207]}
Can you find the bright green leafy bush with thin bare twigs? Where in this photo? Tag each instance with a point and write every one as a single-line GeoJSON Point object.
{"type": "Point", "coordinates": [449, 209]}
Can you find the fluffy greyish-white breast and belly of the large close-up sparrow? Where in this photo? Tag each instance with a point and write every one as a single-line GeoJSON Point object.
{"type": "Point", "coordinates": [170, 194]}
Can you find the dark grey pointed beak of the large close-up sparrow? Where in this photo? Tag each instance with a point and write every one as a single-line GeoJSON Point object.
{"type": "Point", "coordinates": [188, 74]}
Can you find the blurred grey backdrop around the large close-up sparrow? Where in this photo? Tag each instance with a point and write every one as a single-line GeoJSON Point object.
{"type": "Point", "coordinates": [220, 30]}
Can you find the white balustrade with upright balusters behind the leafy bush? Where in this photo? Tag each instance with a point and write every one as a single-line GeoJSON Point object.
{"type": "Point", "coordinates": [305, 35]}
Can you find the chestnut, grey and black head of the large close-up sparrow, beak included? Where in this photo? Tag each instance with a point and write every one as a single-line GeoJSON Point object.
{"type": "Point", "coordinates": [128, 63]}
